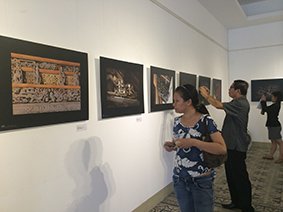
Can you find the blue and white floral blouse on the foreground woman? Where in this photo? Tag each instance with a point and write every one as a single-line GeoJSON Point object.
{"type": "Point", "coordinates": [190, 161]}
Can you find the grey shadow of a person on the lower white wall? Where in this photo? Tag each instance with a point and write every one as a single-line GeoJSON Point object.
{"type": "Point", "coordinates": [93, 179]}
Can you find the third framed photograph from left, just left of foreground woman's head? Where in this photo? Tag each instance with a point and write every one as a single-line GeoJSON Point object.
{"type": "Point", "coordinates": [162, 85]}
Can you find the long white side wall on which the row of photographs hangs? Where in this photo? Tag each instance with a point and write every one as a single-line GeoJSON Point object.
{"type": "Point", "coordinates": [110, 164]}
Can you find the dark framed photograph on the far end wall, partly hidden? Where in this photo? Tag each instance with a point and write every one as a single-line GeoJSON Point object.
{"type": "Point", "coordinates": [265, 86]}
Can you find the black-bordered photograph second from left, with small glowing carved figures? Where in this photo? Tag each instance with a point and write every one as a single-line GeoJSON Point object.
{"type": "Point", "coordinates": [121, 88]}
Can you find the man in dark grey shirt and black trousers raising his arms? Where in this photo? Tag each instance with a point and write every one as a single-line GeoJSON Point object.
{"type": "Point", "coordinates": [234, 132]}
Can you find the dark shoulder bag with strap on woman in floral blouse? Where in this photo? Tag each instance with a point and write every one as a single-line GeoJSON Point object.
{"type": "Point", "coordinates": [212, 160]}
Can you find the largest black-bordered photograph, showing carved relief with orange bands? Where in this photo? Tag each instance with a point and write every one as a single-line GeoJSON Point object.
{"type": "Point", "coordinates": [41, 84]}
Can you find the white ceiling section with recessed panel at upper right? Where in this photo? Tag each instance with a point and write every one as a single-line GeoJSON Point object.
{"type": "Point", "coordinates": [243, 13]}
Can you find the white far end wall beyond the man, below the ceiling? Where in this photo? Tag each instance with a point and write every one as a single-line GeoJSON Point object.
{"type": "Point", "coordinates": [257, 53]}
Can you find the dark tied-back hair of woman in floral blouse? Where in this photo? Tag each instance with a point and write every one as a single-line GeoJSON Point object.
{"type": "Point", "coordinates": [189, 91]}
